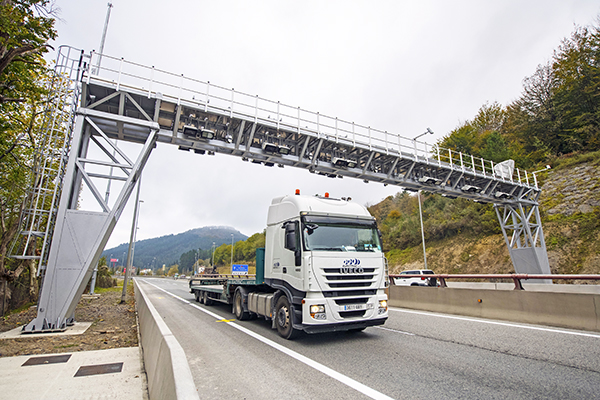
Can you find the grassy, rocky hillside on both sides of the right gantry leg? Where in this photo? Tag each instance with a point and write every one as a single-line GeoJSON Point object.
{"type": "Point", "coordinates": [570, 208]}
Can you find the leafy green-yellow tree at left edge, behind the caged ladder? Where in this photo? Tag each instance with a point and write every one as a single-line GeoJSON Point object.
{"type": "Point", "coordinates": [25, 28]}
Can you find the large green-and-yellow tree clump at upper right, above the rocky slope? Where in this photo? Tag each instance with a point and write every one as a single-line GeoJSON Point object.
{"type": "Point", "coordinates": [558, 111]}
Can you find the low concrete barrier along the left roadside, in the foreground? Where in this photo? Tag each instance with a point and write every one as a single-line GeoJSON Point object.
{"type": "Point", "coordinates": [169, 375]}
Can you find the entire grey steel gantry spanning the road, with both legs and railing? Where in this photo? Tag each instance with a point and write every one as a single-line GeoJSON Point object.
{"type": "Point", "coordinates": [125, 101]}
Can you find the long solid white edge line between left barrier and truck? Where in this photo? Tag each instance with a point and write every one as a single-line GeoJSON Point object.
{"type": "Point", "coordinates": [372, 393]}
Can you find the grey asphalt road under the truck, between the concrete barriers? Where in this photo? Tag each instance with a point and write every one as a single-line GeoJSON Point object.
{"type": "Point", "coordinates": [415, 355]}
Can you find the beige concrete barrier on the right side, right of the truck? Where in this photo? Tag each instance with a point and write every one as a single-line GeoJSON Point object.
{"type": "Point", "coordinates": [568, 310]}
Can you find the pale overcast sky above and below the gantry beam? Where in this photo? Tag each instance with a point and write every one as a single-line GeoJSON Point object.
{"type": "Point", "coordinates": [393, 65]}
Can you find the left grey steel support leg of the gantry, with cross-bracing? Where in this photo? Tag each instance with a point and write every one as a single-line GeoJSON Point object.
{"type": "Point", "coordinates": [80, 236]}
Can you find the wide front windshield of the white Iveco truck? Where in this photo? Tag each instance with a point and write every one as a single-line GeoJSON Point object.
{"type": "Point", "coordinates": [327, 234]}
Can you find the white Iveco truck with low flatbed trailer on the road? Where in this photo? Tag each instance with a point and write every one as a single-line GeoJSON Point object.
{"type": "Point", "coordinates": [322, 270]}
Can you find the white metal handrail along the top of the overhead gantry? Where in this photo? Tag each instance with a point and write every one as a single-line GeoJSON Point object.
{"type": "Point", "coordinates": [178, 88]}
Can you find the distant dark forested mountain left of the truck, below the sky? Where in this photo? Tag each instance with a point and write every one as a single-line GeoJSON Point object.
{"type": "Point", "coordinates": [153, 253]}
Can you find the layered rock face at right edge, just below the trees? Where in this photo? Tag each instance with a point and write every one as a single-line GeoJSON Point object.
{"type": "Point", "coordinates": [571, 190]}
